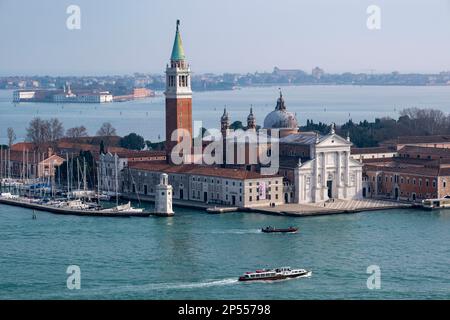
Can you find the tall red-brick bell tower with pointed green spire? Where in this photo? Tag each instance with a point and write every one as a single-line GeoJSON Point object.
{"type": "Point", "coordinates": [178, 95]}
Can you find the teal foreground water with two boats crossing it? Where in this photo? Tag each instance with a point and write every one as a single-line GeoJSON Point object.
{"type": "Point", "coordinates": [198, 256]}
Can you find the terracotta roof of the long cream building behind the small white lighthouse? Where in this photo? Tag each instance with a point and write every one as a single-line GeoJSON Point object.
{"type": "Point", "coordinates": [194, 169]}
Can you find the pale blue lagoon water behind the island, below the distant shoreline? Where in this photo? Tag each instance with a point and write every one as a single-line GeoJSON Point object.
{"type": "Point", "coordinates": [146, 117]}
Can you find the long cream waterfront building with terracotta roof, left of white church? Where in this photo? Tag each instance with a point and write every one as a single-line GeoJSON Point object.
{"type": "Point", "coordinates": [205, 184]}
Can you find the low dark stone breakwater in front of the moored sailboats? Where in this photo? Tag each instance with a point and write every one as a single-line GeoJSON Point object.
{"type": "Point", "coordinates": [72, 212]}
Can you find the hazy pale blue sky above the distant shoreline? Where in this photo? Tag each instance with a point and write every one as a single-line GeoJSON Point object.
{"type": "Point", "coordinates": [123, 37]}
